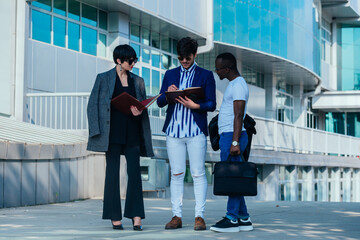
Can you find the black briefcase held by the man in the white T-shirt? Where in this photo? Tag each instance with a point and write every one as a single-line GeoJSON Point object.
{"type": "Point", "coordinates": [235, 178]}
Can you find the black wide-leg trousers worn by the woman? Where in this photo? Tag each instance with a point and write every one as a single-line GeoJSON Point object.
{"type": "Point", "coordinates": [134, 203]}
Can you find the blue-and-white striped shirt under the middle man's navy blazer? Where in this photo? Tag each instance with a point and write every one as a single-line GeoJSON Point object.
{"type": "Point", "coordinates": [182, 123]}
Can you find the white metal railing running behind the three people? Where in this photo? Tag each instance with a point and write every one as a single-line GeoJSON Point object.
{"type": "Point", "coordinates": [68, 111]}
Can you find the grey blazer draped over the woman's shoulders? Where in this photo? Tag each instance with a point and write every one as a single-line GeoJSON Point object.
{"type": "Point", "coordinates": [98, 112]}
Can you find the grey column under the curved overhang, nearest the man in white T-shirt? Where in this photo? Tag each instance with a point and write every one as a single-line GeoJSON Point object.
{"type": "Point", "coordinates": [270, 96]}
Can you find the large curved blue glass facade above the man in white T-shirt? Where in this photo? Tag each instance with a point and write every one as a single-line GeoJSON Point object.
{"type": "Point", "coordinates": [285, 28]}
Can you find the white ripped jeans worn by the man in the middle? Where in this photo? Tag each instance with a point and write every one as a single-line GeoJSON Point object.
{"type": "Point", "coordinates": [196, 148]}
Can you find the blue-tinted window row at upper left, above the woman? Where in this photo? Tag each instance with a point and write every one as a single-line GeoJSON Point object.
{"type": "Point", "coordinates": [84, 25]}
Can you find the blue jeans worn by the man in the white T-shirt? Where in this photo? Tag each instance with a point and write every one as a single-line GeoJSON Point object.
{"type": "Point", "coordinates": [236, 206]}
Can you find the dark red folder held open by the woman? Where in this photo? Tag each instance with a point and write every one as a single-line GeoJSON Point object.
{"type": "Point", "coordinates": [125, 100]}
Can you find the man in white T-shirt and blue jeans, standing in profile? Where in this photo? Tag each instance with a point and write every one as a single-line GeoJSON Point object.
{"type": "Point", "coordinates": [233, 138]}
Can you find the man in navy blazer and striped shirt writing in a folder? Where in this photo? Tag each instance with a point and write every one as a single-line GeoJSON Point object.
{"type": "Point", "coordinates": [186, 129]}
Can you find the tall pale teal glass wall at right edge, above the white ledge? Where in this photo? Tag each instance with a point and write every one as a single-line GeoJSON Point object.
{"type": "Point", "coordinates": [350, 47]}
